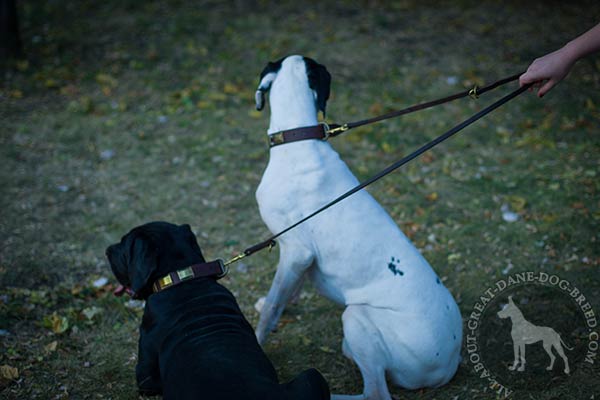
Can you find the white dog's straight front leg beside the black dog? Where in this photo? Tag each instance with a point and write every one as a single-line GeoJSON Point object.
{"type": "Point", "coordinates": [293, 263]}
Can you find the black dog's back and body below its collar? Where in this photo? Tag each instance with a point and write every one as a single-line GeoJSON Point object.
{"type": "Point", "coordinates": [207, 349]}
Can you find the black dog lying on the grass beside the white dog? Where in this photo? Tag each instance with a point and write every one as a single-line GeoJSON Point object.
{"type": "Point", "coordinates": [194, 341]}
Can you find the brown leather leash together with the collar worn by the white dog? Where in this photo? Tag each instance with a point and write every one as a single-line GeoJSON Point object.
{"type": "Point", "coordinates": [324, 131]}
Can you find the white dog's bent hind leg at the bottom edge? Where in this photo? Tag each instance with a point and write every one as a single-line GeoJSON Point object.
{"type": "Point", "coordinates": [361, 346]}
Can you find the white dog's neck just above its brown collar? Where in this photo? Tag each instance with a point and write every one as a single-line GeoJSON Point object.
{"type": "Point", "coordinates": [292, 104]}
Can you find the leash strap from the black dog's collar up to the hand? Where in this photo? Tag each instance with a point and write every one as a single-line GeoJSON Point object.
{"type": "Point", "coordinates": [270, 242]}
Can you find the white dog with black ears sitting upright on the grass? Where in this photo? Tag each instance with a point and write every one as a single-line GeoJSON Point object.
{"type": "Point", "coordinates": [399, 317]}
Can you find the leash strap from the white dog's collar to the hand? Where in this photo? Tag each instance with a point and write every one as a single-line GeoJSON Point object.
{"type": "Point", "coordinates": [475, 92]}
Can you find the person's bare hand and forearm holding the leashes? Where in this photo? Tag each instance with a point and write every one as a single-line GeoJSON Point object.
{"type": "Point", "coordinates": [550, 69]}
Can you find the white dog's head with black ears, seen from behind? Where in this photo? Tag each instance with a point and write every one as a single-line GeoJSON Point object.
{"type": "Point", "coordinates": [314, 77]}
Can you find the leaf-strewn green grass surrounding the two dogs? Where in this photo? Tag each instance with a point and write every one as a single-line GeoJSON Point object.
{"type": "Point", "coordinates": [123, 113]}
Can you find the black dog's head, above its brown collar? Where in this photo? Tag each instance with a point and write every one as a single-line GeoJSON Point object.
{"type": "Point", "coordinates": [149, 252]}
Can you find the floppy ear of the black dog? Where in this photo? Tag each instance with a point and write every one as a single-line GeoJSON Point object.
{"type": "Point", "coordinates": [142, 264]}
